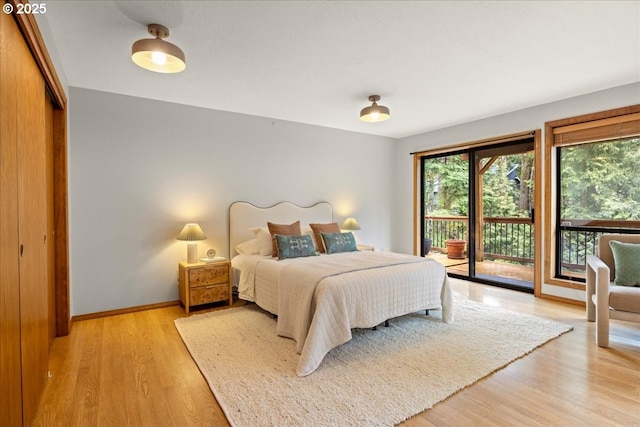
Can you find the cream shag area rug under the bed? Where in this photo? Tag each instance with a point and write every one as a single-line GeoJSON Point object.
{"type": "Point", "coordinates": [379, 378]}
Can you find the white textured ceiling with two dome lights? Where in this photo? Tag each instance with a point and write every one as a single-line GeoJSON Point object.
{"type": "Point", "coordinates": [435, 64]}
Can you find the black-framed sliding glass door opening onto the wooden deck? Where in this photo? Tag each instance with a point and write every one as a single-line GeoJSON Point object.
{"type": "Point", "coordinates": [478, 207]}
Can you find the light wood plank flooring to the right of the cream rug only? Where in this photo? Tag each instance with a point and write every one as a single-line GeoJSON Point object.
{"type": "Point", "coordinates": [557, 384]}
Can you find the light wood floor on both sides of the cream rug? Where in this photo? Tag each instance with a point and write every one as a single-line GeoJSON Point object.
{"type": "Point", "coordinates": [133, 370]}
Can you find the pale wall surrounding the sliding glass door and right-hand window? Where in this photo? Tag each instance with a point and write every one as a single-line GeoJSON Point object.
{"type": "Point", "coordinates": [517, 121]}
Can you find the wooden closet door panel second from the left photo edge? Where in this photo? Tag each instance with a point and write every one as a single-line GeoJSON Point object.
{"type": "Point", "coordinates": [32, 210]}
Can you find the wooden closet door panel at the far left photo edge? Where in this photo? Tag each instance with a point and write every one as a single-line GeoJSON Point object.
{"type": "Point", "coordinates": [10, 363]}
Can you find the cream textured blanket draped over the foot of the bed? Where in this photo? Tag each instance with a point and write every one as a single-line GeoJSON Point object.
{"type": "Point", "coordinates": [320, 302]}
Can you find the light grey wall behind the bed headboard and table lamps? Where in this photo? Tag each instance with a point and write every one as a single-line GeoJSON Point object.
{"type": "Point", "coordinates": [139, 169]}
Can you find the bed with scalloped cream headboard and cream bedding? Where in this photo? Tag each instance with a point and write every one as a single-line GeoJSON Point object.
{"type": "Point", "coordinates": [318, 299]}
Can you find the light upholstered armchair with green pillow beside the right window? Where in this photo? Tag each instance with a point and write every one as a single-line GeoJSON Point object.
{"type": "Point", "coordinates": [606, 299]}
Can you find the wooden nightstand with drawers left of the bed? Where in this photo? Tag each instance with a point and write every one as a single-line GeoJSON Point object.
{"type": "Point", "coordinates": [204, 283]}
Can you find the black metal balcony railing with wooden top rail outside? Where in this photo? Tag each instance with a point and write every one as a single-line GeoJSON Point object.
{"type": "Point", "coordinates": [511, 239]}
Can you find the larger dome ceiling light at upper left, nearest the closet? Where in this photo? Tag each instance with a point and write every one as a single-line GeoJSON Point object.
{"type": "Point", "coordinates": [156, 54]}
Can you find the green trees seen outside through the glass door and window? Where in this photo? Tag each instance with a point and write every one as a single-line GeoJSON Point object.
{"type": "Point", "coordinates": [598, 180]}
